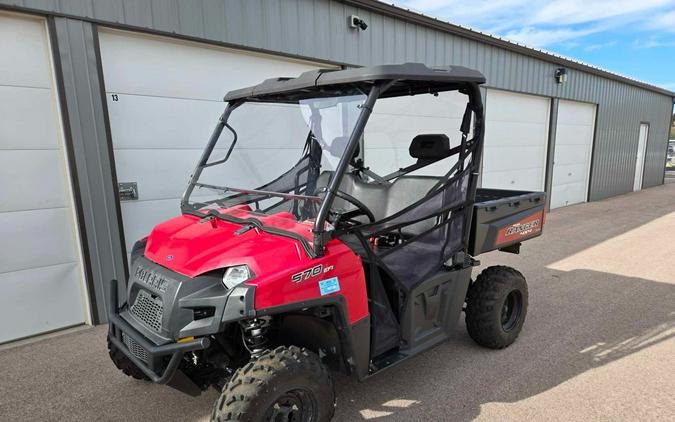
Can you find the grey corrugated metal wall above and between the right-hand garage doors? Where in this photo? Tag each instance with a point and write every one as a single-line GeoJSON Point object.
{"type": "Point", "coordinates": [318, 29]}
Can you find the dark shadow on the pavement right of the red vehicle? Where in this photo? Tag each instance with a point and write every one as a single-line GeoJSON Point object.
{"type": "Point", "coordinates": [577, 321]}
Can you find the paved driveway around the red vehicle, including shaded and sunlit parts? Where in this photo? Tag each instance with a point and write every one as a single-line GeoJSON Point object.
{"type": "Point", "coordinates": [598, 344]}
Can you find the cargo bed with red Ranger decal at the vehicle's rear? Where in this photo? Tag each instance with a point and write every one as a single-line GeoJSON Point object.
{"type": "Point", "coordinates": [502, 219]}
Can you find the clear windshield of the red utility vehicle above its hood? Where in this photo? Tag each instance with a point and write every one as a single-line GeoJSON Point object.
{"type": "Point", "coordinates": [274, 157]}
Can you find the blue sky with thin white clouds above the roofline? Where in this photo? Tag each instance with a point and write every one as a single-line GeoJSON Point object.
{"type": "Point", "coordinates": [635, 38]}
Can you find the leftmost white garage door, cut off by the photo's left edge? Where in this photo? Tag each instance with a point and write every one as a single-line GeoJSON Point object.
{"type": "Point", "coordinates": [41, 277]}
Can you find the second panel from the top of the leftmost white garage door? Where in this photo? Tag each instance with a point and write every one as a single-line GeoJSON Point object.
{"type": "Point", "coordinates": [32, 116]}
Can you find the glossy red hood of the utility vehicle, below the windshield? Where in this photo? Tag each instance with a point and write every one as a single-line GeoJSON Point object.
{"type": "Point", "coordinates": [192, 246]}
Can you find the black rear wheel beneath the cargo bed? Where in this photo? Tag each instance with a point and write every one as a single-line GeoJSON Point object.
{"type": "Point", "coordinates": [496, 307]}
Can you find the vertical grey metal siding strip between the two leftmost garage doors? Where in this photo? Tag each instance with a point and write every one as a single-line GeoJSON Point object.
{"type": "Point", "coordinates": [85, 121]}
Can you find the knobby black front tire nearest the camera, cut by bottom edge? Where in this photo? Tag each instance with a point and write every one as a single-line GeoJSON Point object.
{"type": "Point", "coordinates": [285, 384]}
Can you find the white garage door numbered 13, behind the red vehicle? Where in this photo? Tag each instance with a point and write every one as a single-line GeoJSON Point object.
{"type": "Point", "coordinates": [164, 97]}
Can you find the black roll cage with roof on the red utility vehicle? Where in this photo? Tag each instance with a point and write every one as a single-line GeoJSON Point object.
{"type": "Point", "coordinates": [385, 81]}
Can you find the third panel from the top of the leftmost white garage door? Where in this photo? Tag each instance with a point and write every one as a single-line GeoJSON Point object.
{"type": "Point", "coordinates": [32, 180]}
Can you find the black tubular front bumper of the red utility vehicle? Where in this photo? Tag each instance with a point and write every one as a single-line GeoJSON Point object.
{"type": "Point", "coordinates": [156, 366]}
